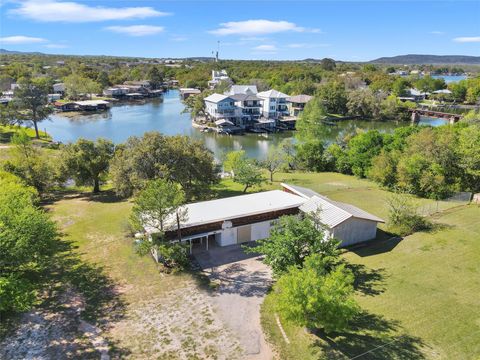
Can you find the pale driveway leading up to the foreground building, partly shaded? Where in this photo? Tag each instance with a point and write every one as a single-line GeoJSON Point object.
{"type": "Point", "coordinates": [243, 282]}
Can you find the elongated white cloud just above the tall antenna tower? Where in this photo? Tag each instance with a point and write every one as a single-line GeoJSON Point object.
{"type": "Point", "coordinates": [258, 27]}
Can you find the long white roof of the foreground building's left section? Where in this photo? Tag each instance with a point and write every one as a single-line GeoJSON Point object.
{"type": "Point", "coordinates": [206, 212]}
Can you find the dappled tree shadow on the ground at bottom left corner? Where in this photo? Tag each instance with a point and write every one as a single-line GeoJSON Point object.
{"type": "Point", "coordinates": [73, 291]}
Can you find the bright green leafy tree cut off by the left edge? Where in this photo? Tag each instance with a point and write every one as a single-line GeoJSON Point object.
{"type": "Point", "coordinates": [28, 241]}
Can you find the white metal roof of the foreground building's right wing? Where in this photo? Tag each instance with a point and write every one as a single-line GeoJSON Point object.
{"type": "Point", "coordinates": [333, 213]}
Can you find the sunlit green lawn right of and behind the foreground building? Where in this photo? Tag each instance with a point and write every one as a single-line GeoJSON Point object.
{"type": "Point", "coordinates": [420, 296]}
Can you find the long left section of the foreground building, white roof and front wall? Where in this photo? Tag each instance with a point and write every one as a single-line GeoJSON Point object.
{"type": "Point", "coordinates": [229, 221]}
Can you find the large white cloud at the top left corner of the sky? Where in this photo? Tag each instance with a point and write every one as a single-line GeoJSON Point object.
{"type": "Point", "coordinates": [52, 10]}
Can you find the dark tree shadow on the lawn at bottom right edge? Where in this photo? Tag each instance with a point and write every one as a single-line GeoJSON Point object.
{"type": "Point", "coordinates": [370, 337]}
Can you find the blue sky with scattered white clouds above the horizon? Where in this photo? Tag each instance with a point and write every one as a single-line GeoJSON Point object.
{"type": "Point", "coordinates": [247, 29]}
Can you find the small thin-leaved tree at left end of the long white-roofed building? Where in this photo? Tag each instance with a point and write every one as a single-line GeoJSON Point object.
{"type": "Point", "coordinates": [158, 206]}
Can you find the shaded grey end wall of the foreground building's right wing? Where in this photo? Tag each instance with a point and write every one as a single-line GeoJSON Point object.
{"type": "Point", "coordinates": [353, 231]}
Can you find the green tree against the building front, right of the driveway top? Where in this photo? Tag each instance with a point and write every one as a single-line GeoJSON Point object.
{"type": "Point", "coordinates": [291, 240]}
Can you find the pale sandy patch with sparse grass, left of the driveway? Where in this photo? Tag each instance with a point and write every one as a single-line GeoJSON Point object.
{"type": "Point", "coordinates": [181, 325]}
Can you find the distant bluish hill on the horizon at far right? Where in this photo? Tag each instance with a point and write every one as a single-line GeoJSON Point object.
{"type": "Point", "coordinates": [413, 59]}
